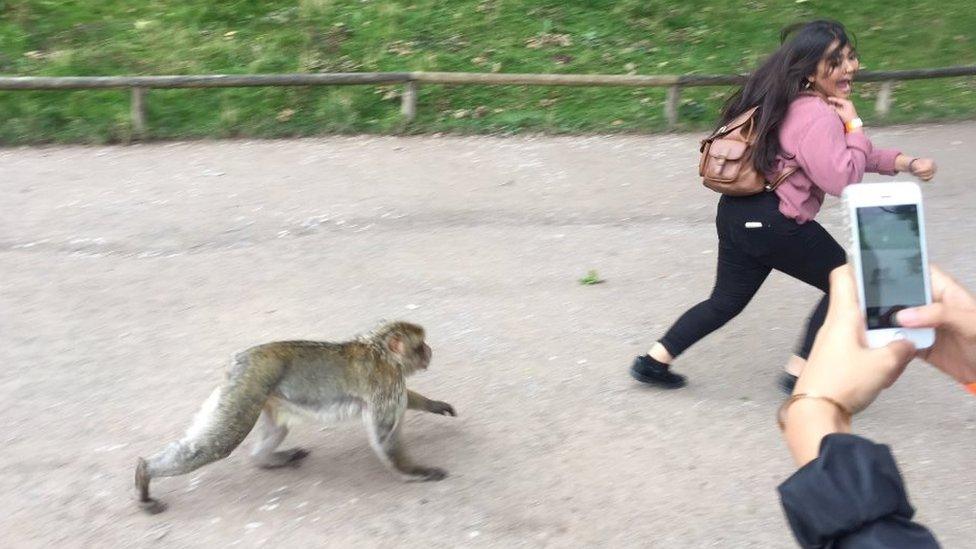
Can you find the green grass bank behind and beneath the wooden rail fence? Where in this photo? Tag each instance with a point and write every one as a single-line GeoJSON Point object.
{"type": "Point", "coordinates": [115, 37]}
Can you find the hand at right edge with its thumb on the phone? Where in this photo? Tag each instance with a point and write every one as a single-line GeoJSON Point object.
{"type": "Point", "coordinates": [953, 315]}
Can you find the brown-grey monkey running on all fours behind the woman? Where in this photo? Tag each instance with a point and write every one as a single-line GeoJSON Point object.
{"type": "Point", "coordinates": [276, 383]}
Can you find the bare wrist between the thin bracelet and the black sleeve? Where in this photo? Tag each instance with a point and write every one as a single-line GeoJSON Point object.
{"type": "Point", "coordinates": [807, 422]}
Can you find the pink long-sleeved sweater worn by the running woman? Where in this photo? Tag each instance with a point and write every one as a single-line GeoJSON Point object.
{"type": "Point", "coordinates": [812, 137]}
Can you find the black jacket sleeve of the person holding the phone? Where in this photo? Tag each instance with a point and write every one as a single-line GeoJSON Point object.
{"type": "Point", "coordinates": [851, 496]}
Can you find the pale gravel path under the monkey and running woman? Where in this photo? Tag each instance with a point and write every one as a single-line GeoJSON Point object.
{"type": "Point", "coordinates": [130, 274]}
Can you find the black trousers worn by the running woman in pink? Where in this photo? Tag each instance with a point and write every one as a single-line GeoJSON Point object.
{"type": "Point", "coordinates": [746, 255]}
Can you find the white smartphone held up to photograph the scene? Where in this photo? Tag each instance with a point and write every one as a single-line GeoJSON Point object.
{"type": "Point", "coordinates": [890, 259]}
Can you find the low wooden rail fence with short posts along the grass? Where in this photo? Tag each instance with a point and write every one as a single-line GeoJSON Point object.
{"type": "Point", "coordinates": [412, 81]}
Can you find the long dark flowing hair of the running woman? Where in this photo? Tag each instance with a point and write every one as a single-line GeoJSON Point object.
{"type": "Point", "coordinates": [775, 84]}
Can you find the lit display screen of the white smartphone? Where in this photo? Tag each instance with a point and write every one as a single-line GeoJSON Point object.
{"type": "Point", "coordinates": [891, 262]}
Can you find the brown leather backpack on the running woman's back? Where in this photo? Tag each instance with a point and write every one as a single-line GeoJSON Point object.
{"type": "Point", "coordinates": [726, 162]}
